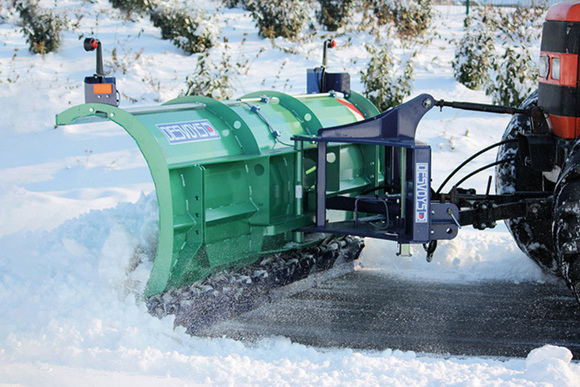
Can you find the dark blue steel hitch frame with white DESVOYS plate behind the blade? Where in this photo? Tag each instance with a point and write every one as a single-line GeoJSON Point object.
{"type": "Point", "coordinates": [401, 209]}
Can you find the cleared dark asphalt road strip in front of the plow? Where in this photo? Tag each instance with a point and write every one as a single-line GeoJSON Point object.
{"type": "Point", "coordinates": [366, 310]}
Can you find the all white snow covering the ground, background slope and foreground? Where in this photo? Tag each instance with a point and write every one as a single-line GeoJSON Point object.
{"type": "Point", "coordinates": [78, 220]}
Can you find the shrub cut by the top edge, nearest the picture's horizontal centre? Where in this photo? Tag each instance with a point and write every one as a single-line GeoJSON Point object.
{"type": "Point", "coordinates": [275, 18]}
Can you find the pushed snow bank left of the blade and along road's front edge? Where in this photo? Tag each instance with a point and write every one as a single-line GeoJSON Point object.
{"type": "Point", "coordinates": [72, 316]}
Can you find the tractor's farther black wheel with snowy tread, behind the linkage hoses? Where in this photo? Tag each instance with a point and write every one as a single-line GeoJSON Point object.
{"type": "Point", "coordinates": [533, 236]}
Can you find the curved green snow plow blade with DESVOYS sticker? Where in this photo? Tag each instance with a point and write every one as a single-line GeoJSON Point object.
{"type": "Point", "coordinates": [230, 183]}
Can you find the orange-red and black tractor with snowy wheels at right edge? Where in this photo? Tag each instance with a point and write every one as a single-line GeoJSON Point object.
{"type": "Point", "coordinates": [546, 156]}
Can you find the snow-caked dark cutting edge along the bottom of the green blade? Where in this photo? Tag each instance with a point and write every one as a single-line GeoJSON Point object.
{"type": "Point", "coordinates": [232, 292]}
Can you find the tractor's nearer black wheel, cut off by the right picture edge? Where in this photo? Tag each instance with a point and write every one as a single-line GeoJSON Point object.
{"type": "Point", "coordinates": [567, 220]}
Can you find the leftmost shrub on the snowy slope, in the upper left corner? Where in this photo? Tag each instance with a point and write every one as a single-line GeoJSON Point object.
{"type": "Point", "coordinates": [41, 28]}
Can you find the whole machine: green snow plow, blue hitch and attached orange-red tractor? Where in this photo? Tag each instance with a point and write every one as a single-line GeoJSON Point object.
{"type": "Point", "coordinates": [269, 189]}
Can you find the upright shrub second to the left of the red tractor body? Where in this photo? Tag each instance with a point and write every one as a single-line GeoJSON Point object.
{"type": "Point", "coordinates": [473, 56]}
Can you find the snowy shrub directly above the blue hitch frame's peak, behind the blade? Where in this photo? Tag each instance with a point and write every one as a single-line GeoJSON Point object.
{"type": "Point", "coordinates": [388, 80]}
